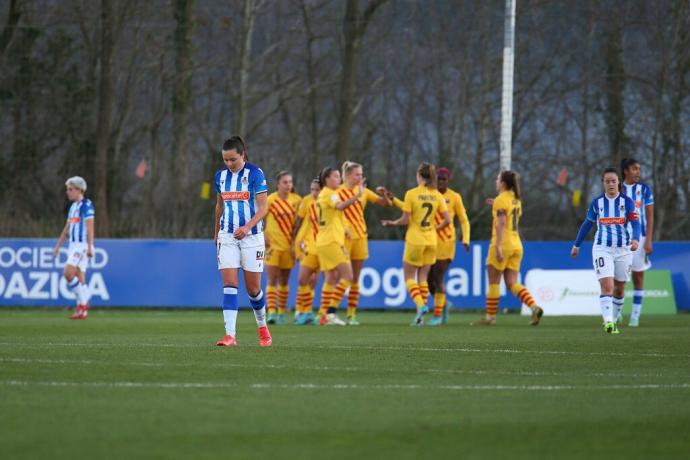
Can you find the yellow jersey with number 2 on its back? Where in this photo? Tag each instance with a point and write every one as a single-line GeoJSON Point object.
{"type": "Point", "coordinates": [422, 203]}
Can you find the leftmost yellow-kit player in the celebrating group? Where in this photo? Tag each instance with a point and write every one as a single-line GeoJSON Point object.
{"type": "Point", "coordinates": [282, 210]}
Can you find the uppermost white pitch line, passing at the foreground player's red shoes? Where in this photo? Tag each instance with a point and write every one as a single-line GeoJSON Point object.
{"type": "Point", "coordinates": [353, 347]}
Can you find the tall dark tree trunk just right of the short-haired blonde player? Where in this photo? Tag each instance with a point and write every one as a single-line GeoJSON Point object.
{"type": "Point", "coordinates": [106, 93]}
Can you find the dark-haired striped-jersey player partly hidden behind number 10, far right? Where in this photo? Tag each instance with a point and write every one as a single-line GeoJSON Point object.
{"type": "Point", "coordinates": [643, 197]}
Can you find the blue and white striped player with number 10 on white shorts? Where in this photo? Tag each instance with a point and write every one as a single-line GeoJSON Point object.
{"type": "Point", "coordinates": [613, 244]}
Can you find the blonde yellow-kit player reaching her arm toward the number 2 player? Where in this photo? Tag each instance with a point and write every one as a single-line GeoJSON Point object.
{"type": "Point", "coordinates": [357, 245]}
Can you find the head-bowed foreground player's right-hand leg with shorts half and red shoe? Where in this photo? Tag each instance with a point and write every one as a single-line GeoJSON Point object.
{"type": "Point", "coordinates": [252, 263]}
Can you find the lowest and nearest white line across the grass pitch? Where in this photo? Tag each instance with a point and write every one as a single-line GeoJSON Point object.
{"type": "Point", "coordinates": [344, 386]}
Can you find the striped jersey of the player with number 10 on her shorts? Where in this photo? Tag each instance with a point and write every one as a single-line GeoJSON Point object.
{"type": "Point", "coordinates": [612, 216]}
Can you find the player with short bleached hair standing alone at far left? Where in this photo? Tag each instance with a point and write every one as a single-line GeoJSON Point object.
{"type": "Point", "coordinates": [80, 229]}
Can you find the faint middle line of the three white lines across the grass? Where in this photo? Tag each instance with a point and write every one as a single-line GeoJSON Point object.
{"type": "Point", "coordinates": [331, 368]}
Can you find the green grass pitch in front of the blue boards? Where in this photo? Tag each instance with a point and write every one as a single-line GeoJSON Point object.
{"type": "Point", "coordinates": [151, 384]}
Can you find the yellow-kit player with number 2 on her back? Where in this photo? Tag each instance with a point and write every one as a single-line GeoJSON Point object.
{"type": "Point", "coordinates": [419, 209]}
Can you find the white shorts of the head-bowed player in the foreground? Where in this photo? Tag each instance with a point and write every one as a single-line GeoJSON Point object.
{"type": "Point", "coordinates": [247, 253]}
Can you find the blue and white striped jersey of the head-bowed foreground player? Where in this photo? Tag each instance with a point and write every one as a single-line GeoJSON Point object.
{"type": "Point", "coordinates": [238, 191]}
